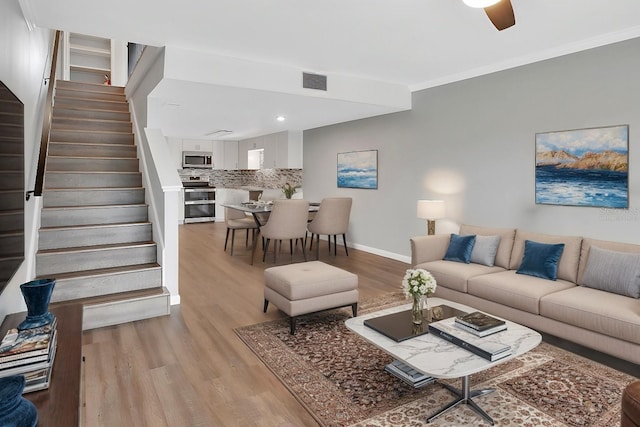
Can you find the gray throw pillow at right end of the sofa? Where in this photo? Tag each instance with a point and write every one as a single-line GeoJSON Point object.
{"type": "Point", "coordinates": [611, 271]}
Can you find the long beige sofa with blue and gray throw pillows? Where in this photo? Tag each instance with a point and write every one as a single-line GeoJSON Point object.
{"type": "Point", "coordinates": [566, 308]}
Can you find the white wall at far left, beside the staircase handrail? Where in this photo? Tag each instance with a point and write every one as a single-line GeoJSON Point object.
{"type": "Point", "coordinates": [24, 59]}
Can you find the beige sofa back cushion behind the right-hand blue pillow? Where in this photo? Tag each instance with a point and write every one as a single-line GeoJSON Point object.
{"type": "Point", "coordinates": [568, 264]}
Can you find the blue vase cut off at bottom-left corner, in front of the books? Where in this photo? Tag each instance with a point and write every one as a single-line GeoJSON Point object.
{"type": "Point", "coordinates": [15, 410]}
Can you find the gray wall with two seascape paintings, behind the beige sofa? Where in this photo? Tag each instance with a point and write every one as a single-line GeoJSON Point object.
{"type": "Point", "coordinates": [472, 143]}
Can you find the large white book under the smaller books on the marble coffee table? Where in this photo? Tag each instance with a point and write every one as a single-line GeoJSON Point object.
{"type": "Point", "coordinates": [489, 348]}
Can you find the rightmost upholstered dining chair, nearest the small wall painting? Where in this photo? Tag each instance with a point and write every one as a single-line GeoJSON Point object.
{"type": "Point", "coordinates": [332, 219]}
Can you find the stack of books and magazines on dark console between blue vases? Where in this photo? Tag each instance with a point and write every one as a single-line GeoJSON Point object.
{"type": "Point", "coordinates": [31, 353]}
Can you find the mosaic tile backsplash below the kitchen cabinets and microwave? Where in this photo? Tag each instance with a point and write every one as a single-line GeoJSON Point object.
{"type": "Point", "coordinates": [258, 178]}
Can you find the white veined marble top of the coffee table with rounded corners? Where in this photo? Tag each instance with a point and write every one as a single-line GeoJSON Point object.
{"type": "Point", "coordinates": [437, 357]}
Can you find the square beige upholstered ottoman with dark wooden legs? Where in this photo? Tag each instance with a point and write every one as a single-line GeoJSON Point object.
{"type": "Point", "coordinates": [308, 287]}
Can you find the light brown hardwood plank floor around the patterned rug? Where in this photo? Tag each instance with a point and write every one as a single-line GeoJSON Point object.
{"type": "Point", "coordinates": [190, 368]}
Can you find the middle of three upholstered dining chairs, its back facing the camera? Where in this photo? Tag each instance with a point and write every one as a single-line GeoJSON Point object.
{"type": "Point", "coordinates": [287, 221]}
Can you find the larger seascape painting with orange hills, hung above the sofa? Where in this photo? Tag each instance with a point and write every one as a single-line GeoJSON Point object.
{"type": "Point", "coordinates": [584, 167]}
